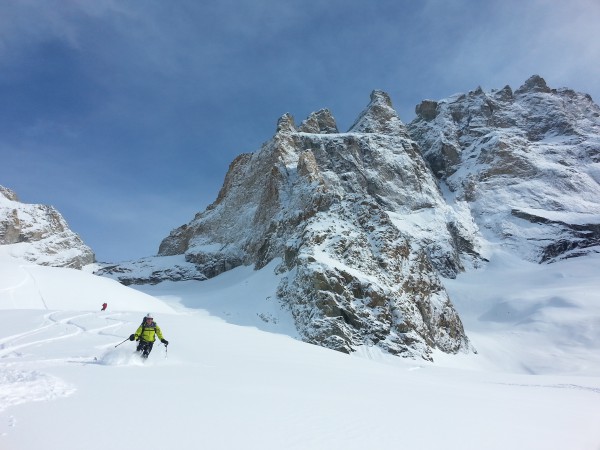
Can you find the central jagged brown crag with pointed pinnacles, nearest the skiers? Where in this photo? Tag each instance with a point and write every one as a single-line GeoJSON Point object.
{"type": "Point", "coordinates": [334, 207]}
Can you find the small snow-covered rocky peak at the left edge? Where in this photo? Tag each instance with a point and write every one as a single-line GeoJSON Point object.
{"type": "Point", "coordinates": [40, 234]}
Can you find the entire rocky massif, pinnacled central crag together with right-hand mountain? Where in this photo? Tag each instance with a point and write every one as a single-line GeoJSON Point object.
{"type": "Point", "coordinates": [363, 224]}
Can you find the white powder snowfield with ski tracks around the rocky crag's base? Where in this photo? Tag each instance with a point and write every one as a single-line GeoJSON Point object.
{"type": "Point", "coordinates": [234, 377]}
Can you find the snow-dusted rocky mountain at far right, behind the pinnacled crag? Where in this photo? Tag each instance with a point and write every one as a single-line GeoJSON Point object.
{"type": "Point", "coordinates": [525, 162]}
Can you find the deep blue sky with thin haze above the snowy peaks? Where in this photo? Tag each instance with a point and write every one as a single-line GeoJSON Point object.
{"type": "Point", "coordinates": [125, 115]}
